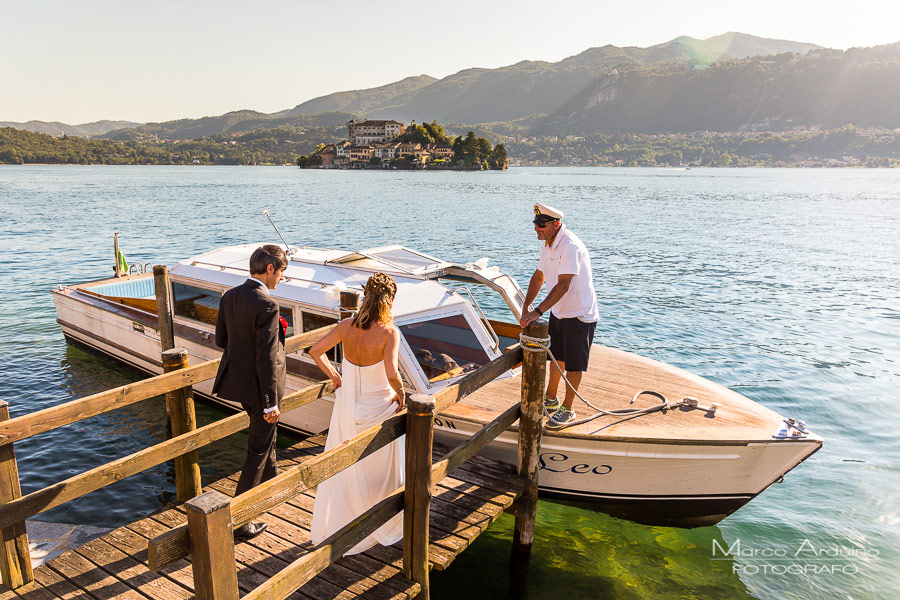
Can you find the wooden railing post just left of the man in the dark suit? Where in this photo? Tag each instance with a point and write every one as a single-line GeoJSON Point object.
{"type": "Point", "coordinates": [183, 419]}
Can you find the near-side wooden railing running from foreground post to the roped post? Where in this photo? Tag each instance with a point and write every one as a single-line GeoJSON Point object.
{"type": "Point", "coordinates": [212, 517]}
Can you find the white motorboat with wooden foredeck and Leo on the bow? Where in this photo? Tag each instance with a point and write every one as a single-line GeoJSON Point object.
{"type": "Point", "coordinates": [688, 466]}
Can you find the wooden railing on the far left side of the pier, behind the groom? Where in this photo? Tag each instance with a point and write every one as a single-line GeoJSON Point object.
{"type": "Point", "coordinates": [15, 561]}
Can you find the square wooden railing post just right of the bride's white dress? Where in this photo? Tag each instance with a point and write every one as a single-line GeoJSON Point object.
{"type": "Point", "coordinates": [418, 490]}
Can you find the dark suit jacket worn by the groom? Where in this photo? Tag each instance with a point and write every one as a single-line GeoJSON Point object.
{"type": "Point", "coordinates": [253, 366]}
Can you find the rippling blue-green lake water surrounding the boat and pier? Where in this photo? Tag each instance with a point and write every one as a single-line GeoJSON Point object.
{"type": "Point", "coordinates": [780, 284]}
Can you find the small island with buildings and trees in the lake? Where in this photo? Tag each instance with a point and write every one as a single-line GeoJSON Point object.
{"type": "Point", "coordinates": [388, 144]}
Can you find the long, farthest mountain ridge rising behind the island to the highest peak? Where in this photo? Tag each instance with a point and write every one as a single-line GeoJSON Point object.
{"type": "Point", "coordinates": [526, 90]}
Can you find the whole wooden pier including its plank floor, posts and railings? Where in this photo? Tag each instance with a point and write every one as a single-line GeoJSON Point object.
{"type": "Point", "coordinates": [448, 498]}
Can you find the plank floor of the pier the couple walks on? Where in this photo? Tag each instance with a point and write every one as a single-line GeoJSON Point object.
{"type": "Point", "coordinates": [463, 505]}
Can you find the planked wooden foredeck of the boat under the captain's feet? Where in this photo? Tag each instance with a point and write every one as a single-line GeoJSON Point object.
{"type": "Point", "coordinates": [612, 380]}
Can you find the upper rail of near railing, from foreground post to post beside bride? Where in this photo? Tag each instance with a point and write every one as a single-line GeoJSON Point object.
{"type": "Point", "coordinates": [269, 494]}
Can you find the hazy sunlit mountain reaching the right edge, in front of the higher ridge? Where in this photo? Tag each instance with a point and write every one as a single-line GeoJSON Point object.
{"type": "Point", "coordinates": [829, 88]}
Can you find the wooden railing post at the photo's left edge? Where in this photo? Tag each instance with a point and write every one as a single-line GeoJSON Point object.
{"type": "Point", "coordinates": [15, 558]}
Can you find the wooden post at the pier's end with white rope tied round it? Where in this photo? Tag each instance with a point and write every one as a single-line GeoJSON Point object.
{"type": "Point", "coordinates": [534, 371]}
